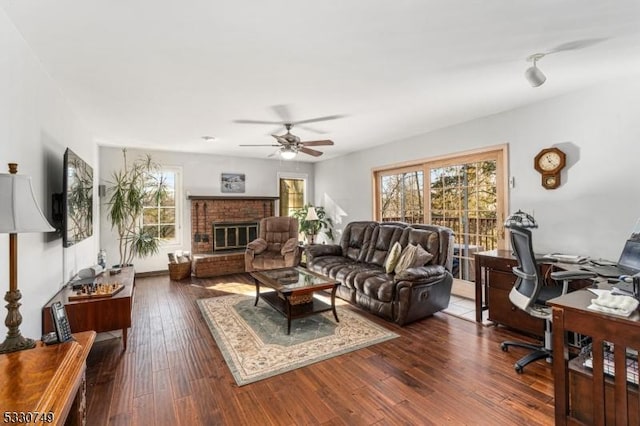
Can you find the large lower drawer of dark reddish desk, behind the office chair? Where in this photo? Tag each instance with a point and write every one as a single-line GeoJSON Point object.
{"type": "Point", "coordinates": [502, 311]}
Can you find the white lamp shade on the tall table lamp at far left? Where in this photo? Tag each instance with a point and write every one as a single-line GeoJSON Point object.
{"type": "Point", "coordinates": [19, 210]}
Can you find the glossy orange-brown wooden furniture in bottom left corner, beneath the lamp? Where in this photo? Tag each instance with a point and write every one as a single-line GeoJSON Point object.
{"type": "Point", "coordinates": [47, 382]}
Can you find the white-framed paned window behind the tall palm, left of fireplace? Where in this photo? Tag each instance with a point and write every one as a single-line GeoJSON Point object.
{"type": "Point", "coordinates": [160, 215]}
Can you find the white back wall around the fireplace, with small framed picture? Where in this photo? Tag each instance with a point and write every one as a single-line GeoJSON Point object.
{"type": "Point", "coordinates": [200, 176]}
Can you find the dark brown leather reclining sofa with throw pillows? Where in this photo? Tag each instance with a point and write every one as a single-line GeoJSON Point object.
{"type": "Point", "coordinates": [358, 263]}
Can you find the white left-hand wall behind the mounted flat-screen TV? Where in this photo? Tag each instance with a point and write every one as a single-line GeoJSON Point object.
{"type": "Point", "coordinates": [36, 126]}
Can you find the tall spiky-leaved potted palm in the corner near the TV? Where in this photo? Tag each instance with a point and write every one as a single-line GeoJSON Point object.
{"type": "Point", "coordinates": [137, 184]}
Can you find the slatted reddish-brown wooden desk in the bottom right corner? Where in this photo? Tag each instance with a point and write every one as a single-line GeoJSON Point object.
{"type": "Point", "coordinates": [570, 313]}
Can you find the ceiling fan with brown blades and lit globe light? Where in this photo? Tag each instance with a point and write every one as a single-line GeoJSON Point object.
{"type": "Point", "coordinates": [289, 144]}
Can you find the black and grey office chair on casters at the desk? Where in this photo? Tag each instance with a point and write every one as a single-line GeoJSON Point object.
{"type": "Point", "coordinates": [530, 294]}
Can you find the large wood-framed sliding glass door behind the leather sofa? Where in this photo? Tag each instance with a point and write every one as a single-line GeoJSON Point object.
{"type": "Point", "coordinates": [465, 192]}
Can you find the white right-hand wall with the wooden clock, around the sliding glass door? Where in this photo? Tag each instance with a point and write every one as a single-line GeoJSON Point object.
{"type": "Point", "coordinates": [598, 203]}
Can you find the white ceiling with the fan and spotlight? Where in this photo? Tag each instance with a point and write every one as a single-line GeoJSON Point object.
{"type": "Point", "coordinates": [161, 74]}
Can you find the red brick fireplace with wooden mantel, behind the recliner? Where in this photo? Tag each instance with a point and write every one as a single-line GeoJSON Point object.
{"type": "Point", "coordinates": [229, 221]}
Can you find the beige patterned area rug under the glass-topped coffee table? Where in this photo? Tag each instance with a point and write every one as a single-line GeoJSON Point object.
{"type": "Point", "coordinates": [255, 344]}
